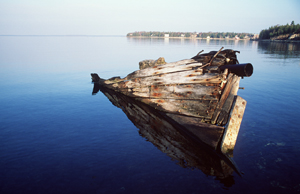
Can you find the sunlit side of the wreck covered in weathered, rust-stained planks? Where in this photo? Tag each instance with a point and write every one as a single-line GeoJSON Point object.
{"type": "Point", "coordinates": [179, 87]}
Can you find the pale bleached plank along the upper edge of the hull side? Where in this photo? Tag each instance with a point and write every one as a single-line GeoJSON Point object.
{"type": "Point", "coordinates": [163, 69]}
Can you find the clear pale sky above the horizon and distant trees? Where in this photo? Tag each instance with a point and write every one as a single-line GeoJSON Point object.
{"type": "Point", "coordinates": [118, 17]}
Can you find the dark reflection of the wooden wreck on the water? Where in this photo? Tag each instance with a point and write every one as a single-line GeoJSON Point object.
{"type": "Point", "coordinates": [172, 138]}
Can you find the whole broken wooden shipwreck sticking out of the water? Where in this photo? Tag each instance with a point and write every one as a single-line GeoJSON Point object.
{"type": "Point", "coordinates": [198, 93]}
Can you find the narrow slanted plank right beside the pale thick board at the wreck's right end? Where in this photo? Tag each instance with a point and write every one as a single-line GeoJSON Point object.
{"type": "Point", "coordinates": [224, 114]}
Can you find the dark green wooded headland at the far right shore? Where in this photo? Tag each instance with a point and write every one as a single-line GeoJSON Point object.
{"type": "Point", "coordinates": [278, 30]}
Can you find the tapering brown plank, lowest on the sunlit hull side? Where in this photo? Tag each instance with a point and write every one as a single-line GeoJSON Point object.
{"type": "Point", "coordinates": [196, 108]}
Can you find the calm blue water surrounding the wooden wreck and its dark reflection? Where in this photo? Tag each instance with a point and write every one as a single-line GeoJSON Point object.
{"type": "Point", "coordinates": [56, 137]}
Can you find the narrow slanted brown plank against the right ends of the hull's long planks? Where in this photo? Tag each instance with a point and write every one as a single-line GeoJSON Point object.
{"type": "Point", "coordinates": [231, 79]}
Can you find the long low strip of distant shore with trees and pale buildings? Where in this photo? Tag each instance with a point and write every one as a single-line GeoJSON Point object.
{"type": "Point", "coordinates": [192, 34]}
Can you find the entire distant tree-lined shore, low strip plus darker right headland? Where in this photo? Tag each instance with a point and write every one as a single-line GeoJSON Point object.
{"type": "Point", "coordinates": [288, 32]}
